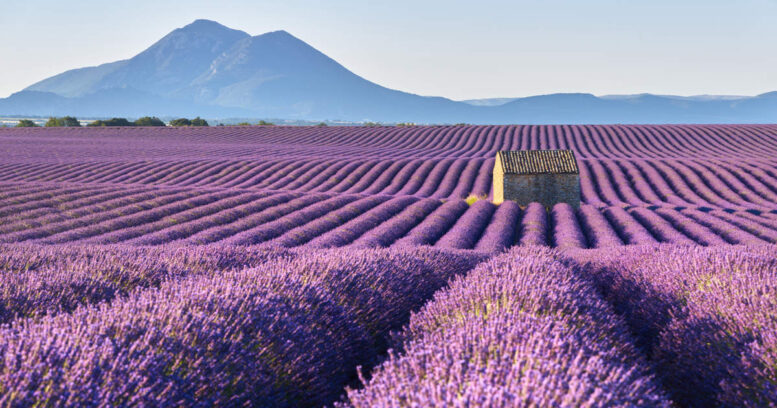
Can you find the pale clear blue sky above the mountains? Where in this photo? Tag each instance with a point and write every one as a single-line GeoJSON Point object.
{"type": "Point", "coordinates": [451, 48]}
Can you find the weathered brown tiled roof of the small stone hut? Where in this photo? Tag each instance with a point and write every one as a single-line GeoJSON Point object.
{"type": "Point", "coordinates": [538, 162]}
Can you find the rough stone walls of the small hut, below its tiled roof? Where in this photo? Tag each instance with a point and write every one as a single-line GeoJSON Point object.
{"type": "Point", "coordinates": [547, 189]}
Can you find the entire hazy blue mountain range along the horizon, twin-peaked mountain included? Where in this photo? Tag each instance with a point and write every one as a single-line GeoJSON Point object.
{"type": "Point", "coordinates": [206, 69]}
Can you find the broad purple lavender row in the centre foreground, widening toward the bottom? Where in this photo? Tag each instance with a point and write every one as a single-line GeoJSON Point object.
{"type": "Point", "coordinates": [520, 330]}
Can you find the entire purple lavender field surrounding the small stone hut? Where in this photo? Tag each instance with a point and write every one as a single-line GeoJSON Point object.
{"type": "Point", "coordinates": [367, 266]}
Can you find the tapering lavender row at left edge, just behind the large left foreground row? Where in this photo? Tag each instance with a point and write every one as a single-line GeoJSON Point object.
{"type": "Point", "coordinates": [39, 280]}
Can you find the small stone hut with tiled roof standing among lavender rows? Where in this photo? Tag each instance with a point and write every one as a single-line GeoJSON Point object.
{"type": "Point", "coordinates": [545, 176]}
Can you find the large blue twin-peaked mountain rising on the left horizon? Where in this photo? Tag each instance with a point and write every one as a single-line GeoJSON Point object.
{"type": "Point", "coordinates": [220, 71]}
